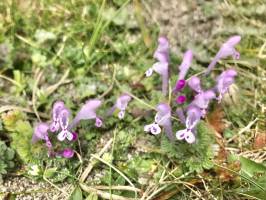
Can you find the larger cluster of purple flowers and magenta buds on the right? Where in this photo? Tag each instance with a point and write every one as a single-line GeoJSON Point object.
{"type": "Point", "coordinates": [197, 109]}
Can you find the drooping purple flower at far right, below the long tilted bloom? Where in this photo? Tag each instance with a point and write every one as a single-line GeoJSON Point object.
{"type": "Point", "coordinates": [224, 80]}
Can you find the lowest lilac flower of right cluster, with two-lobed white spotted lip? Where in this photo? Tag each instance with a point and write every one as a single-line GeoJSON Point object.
{"type": "Point", "coordinates": [193, 117]}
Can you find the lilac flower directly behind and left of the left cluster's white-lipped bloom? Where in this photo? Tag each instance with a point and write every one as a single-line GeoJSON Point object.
{"type": "Point", "coordinates": [57, 107]}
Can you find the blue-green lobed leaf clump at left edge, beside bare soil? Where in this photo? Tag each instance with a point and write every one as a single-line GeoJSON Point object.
{"type": "Point", "coordinates": [7, 156]}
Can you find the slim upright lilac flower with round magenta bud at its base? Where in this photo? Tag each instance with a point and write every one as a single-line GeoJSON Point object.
{"type": "Point", "coordinates": [183, 69]}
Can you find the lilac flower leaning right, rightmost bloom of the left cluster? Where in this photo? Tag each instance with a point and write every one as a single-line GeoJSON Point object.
{"type": "Point", "coordinates": [87, 111]}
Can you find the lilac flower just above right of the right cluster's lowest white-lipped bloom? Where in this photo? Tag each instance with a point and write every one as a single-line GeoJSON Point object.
{"type": "Point", "coordinates": [202, 100]}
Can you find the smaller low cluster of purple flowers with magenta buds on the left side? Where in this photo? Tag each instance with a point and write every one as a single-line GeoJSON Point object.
{"type": "Point", "coordinates": [63, 128]}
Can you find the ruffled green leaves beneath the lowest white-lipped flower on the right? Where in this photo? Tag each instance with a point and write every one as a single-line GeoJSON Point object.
{"type": "Point", "coordinates": [196, 157]}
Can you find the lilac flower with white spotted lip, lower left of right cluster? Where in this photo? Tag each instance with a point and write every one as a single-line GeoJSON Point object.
{"type": "Point", "coordinates": [162, 118]}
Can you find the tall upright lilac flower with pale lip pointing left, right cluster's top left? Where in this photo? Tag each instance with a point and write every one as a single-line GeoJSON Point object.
{"type": "Point", "coordinates": [161, 67]}
